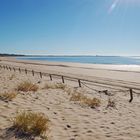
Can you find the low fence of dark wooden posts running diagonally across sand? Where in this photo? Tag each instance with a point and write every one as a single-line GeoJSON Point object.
{"type": "Point", "coordinates": [80, 81]}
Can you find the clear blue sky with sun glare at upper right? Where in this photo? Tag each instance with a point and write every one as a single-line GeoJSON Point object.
{"type": "Point", "coordinates": [95, 27]}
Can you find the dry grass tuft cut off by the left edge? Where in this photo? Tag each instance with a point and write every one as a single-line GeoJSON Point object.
{"type": "Point", "coordinates": [8, 96]}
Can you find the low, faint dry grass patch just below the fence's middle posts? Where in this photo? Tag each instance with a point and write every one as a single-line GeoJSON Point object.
{"type": "Point", "coordinates": [55, 86]}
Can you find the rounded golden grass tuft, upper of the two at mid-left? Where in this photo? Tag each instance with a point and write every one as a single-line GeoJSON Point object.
{"type": "Point", "coordinates": [27, 86]}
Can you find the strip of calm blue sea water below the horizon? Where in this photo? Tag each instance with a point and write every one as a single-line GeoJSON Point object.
{"type": "Point", "coordinates": [117, 60]}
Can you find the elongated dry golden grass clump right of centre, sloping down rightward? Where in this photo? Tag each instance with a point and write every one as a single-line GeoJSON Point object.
{"type": "Point", "coordinates": [85, 100]}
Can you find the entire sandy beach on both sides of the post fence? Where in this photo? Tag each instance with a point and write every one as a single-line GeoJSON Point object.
{"type": "Point", "coordinates": [70, 120]}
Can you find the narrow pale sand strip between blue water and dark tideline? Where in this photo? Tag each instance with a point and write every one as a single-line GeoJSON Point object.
{"type": "Point", "coordinates": [113, 67]}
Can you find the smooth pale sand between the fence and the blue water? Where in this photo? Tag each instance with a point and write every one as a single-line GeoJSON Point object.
{"type": "Point", "coordinates": [128, 73]}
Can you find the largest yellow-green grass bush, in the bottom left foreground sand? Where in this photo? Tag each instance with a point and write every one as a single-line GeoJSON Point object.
{"type": "Point", "coordinates": [30, 124]}
